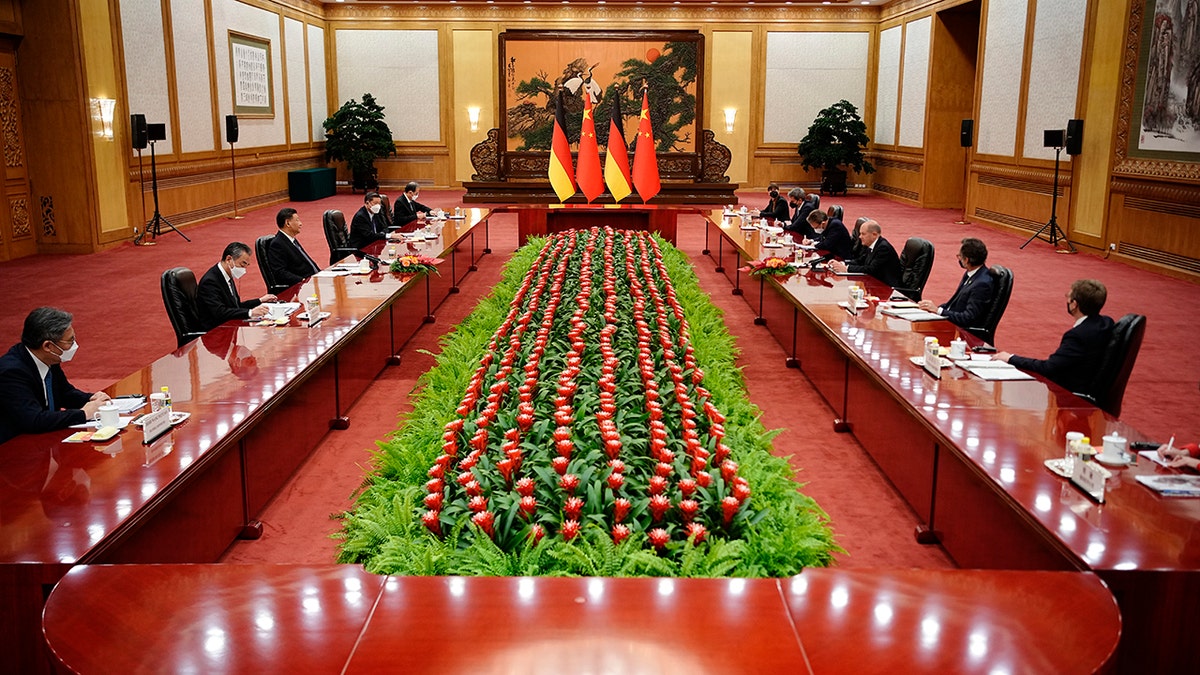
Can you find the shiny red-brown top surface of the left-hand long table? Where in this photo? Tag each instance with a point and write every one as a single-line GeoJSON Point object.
{"type": "Point", "coordinates": [58, 501]}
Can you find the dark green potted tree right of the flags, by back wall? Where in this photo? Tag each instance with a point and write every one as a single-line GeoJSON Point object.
{"type": "Point", "coordinates": [836, 141]}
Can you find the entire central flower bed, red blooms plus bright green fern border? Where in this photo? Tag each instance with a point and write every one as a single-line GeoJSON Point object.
{"type": "Point", "coordinates": [586, 420]}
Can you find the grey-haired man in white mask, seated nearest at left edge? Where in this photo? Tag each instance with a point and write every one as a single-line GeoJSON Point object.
{"type": "Point", "coordinates": [35, 395]}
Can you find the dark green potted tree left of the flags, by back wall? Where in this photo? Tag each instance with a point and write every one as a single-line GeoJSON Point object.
{"type": "Point", "coordinates": [358, 135]}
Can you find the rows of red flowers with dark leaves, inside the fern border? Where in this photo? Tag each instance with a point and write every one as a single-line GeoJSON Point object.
{"type": "Point", "coordinates": [589, 410]}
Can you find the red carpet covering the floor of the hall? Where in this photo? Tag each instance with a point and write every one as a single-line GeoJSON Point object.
{"type": "Point", "coordinates": [123, 326]}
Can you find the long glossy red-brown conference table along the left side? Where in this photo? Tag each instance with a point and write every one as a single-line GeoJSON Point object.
{"type": "Point", "coordinates": [260, 398]}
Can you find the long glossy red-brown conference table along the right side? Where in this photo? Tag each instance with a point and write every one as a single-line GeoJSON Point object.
{"type": "Point", "coordinates": [969, 455]}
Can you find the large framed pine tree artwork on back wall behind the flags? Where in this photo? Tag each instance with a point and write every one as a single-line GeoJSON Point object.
{"type": "Point", "coordinates": [608, 67]}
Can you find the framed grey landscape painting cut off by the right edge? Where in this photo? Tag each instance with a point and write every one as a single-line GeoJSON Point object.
{"type": "Point", "coordinates": [1166, 117]}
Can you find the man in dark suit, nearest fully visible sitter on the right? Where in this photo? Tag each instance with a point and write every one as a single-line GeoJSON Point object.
{"type": "Point", "coordinates": [1073, 366]}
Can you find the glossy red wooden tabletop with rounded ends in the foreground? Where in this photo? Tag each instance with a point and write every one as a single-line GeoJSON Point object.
{"type": "Point", "coordinates": [331, 619]}
